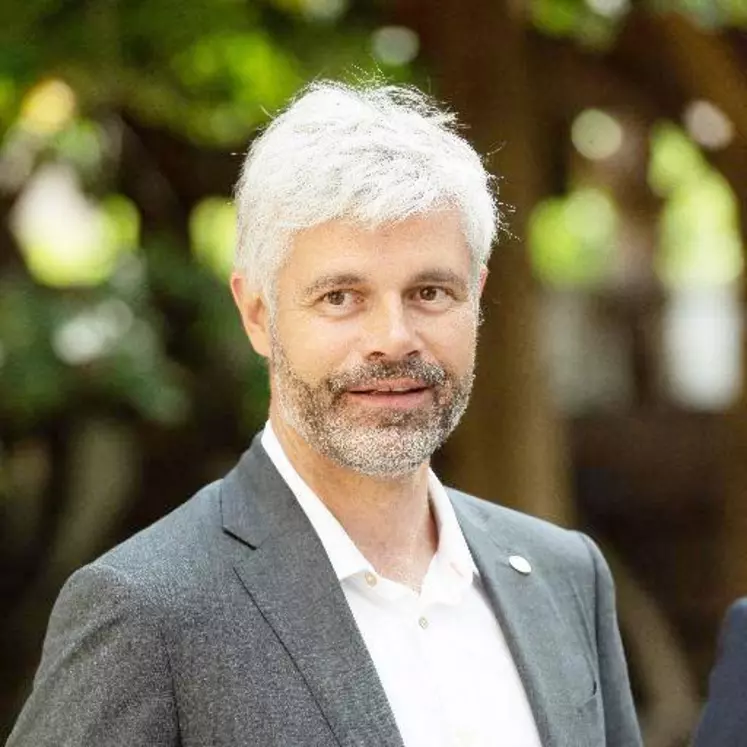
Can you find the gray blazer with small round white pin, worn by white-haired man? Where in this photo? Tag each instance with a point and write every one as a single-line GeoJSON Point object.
{"type": "Point", "coordinates": [224, 624]}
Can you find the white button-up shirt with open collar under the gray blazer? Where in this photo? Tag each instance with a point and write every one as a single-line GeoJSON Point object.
{"type": "Point", "coordinates": [440, 655]}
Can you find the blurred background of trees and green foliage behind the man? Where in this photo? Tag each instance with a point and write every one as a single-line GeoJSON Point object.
{"type": "Point", "coordinates": [610, 392]}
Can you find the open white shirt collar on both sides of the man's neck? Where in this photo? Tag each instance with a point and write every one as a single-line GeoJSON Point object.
{"type": "Point", "coordinates": [346, 559]}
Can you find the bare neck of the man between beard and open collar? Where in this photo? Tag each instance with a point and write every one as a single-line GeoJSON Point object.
{"type": "Point", "coordinates": [388, 519]}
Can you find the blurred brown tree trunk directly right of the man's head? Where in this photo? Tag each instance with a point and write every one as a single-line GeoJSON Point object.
{"type": "Point", "coordinates": [509, 448]}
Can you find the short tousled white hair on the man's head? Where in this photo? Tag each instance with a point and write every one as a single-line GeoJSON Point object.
{"type": "Point", "coordinates": [373, 154]}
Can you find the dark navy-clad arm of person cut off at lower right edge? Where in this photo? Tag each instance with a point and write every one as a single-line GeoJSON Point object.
{"type": "Point", "coordinates": [724, 720]}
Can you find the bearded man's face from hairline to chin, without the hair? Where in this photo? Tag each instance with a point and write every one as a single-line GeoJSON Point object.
{"type": "Point", "coordinates": [372, 340]}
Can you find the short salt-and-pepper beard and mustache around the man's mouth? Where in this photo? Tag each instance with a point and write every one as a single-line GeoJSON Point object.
{"type": "Point", "coordinates": [376, 441]}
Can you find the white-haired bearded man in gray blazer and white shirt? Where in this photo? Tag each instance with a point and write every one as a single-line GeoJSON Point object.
{"type": "Point", "coordinates": [330, 591]}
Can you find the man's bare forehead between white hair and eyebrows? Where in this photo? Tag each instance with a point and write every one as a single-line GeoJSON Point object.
{"type": "Point", "coordinates": [434, 239]}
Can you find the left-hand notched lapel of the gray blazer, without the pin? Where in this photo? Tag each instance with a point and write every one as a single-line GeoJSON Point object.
{"type": "Point", "coordinates": [286, 571]}
